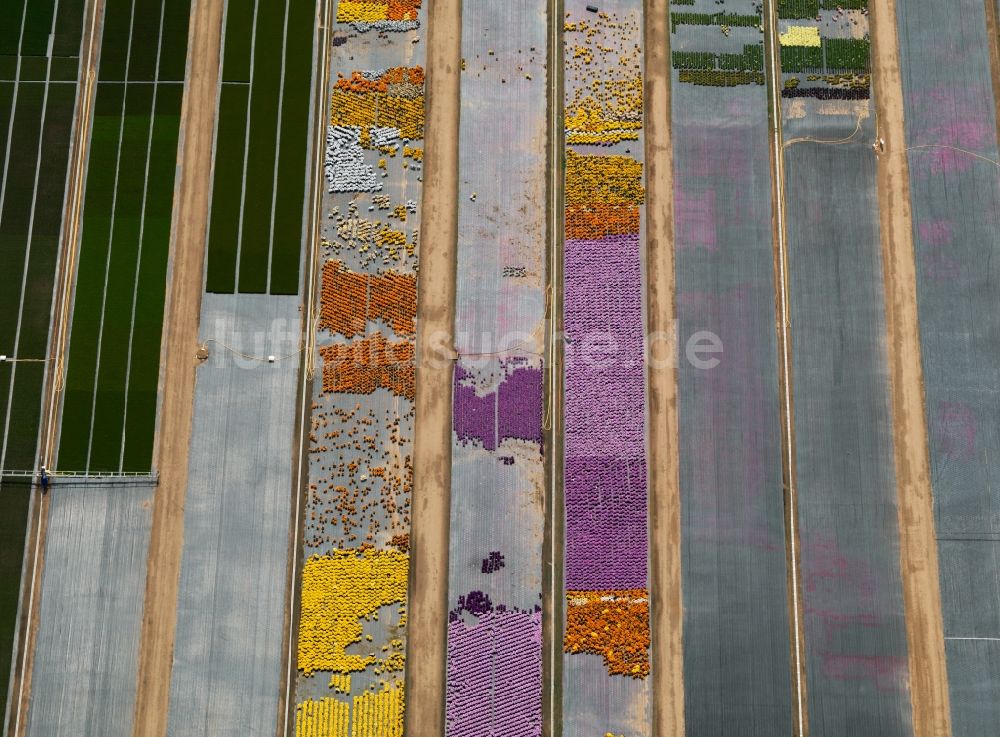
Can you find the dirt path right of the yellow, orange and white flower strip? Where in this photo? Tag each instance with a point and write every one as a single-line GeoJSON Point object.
{"type": "Point", "coordinates": [430, 516]}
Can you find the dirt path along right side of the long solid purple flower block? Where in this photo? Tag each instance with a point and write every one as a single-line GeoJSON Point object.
{"type": "Point", "coordinates": [666, 603]}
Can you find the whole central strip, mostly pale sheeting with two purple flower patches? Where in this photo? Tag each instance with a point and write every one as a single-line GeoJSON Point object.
{"type": "Point", "coordinates": [494, 651]}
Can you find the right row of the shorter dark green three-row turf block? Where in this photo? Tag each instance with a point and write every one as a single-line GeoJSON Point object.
{"type": "Point", "coordinates": [290, 201]}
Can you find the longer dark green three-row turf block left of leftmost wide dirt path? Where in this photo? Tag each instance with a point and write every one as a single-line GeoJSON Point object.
{"type": "Point", "coordinates": [112, 369]}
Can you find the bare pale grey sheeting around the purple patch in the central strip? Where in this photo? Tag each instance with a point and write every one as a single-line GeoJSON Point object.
{"type": "Point", "coordinates": [497, 505]}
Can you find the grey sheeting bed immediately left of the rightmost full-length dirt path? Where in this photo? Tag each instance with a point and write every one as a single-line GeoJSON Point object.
{"type": "Point", "coordinates": [856, 648]}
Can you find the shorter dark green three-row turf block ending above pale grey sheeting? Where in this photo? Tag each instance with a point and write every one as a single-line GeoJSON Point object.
{"type": "Point", "coordinates": [258, 195]}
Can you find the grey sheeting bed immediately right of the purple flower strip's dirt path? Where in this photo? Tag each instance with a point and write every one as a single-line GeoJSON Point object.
{"type": "Point", "coordinates": [737, 672]}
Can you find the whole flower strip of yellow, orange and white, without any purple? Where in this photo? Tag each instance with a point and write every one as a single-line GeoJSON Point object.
{"type": "Point", "coordinates": [353, 586]}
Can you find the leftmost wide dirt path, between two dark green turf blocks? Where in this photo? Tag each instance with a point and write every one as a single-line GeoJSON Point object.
{"type": "Point", "coordinates": [190, 219]}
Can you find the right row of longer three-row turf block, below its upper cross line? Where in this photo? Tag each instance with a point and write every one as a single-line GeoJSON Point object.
{"type": "Point", "coordinates": [144, 376]}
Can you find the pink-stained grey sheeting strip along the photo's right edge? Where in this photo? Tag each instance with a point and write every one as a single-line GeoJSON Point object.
{"type": "Point", "coordinates": [948, 101]}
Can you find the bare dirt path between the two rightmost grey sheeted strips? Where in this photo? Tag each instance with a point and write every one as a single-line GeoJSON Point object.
{"type": "Point", "coordinates": [917, 537]}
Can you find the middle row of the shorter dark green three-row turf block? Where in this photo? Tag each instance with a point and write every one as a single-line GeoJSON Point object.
{"type": "Point", "coordinates": [255, 244]}
